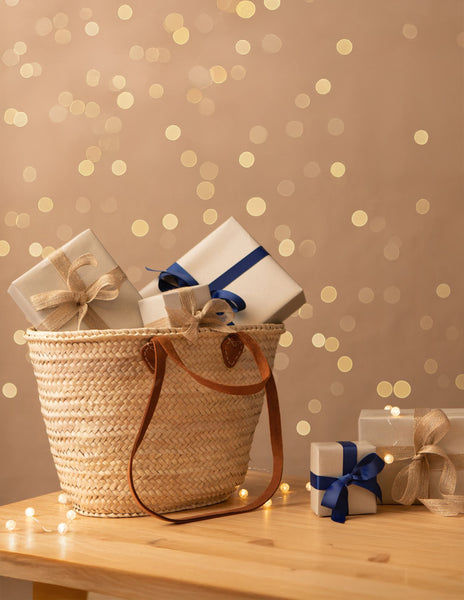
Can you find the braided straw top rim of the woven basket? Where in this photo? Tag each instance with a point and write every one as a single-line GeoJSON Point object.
{"type": "Point", "coordinates": [140, 332]}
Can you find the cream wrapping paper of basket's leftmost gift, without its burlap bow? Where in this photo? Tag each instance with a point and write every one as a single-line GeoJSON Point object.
{"type": "Point", "coordinates": [120, 313]}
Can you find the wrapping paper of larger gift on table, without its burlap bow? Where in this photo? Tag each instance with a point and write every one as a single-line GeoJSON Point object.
{"type": "Point", "coordinates": [395, 435]}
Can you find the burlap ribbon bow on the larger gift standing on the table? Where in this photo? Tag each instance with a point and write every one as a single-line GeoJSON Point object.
{"type": "Point", "coordinates": [413, 480]}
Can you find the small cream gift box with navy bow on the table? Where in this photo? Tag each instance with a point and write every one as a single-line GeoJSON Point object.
{"type": "Point", "coordinates": [343, 479]}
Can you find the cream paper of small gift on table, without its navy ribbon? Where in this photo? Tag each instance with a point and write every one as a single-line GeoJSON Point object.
{"type": "Point", "coordinates": [327, 460]}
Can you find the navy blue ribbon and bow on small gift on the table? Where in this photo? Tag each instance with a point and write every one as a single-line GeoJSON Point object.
{"type": "Point", "coordinates": [364, 474]}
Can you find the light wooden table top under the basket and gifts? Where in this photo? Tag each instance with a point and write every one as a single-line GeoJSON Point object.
{"type": "Point", "coordinates": [284, 552]}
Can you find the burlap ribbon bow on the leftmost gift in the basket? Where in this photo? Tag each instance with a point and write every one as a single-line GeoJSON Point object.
{"type": "Point", "coordinates": [76, 298]}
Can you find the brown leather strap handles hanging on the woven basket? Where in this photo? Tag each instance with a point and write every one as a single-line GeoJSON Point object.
{"type": "Point", "coordinates": [163, 347]}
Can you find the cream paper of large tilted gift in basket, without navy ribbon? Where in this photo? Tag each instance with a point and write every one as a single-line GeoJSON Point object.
{"type": "Point", "coordinates": [271, 295]}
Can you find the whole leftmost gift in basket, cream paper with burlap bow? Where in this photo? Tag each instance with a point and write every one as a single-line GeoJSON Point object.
{"type": "Point", "coordinates": [79, 286]}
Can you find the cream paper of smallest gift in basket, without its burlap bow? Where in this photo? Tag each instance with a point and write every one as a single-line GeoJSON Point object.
{"type": "Point", "coordinates": [153, 308]}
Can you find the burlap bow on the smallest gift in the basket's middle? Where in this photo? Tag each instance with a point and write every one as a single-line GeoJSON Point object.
{"type": "Point", "coordinates": [216, 313]}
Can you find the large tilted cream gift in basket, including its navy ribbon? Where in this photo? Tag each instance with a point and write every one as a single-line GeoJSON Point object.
{"type": "Point", "coordinates": [239, 270]}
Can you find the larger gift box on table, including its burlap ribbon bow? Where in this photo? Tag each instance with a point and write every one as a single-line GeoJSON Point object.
{"type": "Point", "coordinates": [400, 438]}
